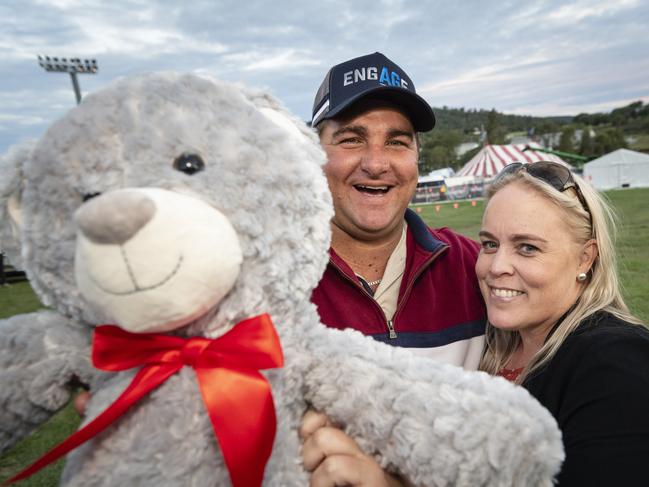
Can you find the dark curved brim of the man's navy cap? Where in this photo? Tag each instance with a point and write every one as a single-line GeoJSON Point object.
{"type": "Point", "coordinates": [418, 110]}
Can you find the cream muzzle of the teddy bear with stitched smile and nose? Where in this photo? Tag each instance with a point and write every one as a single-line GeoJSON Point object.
{"type": "Point", "coordinates": [140, 257]}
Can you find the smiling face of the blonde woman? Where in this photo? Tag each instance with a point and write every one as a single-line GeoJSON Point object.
{"type": "Point", "coordinates": [528, 263]}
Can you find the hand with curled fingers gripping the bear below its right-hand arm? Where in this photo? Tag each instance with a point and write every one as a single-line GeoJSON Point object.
{"type": "Point", "coordinates": [334, 459]}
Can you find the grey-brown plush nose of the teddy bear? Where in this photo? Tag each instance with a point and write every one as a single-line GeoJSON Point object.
{"type": "Point", "coordinates": [113, 218]}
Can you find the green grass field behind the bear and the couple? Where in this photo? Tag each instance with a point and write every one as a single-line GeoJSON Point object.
{"type": "Point", "coordinates": [632, 206]}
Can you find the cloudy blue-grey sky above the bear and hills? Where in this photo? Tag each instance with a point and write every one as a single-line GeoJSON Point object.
{"type": "Point", "coordinates": [538, 57]}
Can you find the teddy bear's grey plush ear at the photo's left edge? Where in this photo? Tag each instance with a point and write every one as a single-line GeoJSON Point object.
{"type": "Point", "coordinates": [12, 184]}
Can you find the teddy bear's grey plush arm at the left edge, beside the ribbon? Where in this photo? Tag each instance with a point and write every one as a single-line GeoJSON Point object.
{"type": "Point", "coordinates": [42, 356]}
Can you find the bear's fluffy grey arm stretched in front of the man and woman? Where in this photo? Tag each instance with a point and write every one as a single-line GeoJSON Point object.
{"type": "Point", "coordinates": [433, 423]}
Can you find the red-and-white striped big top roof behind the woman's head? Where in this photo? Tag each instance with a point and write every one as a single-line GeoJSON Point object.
{"type": "Point", "coordinates": [492, 158]}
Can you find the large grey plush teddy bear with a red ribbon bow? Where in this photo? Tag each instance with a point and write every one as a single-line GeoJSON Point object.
{"type": "Point", "coordinates": [182, 206]}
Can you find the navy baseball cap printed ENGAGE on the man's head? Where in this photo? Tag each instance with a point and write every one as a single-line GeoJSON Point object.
{"type": "Point", "coordinates": [375, 75]}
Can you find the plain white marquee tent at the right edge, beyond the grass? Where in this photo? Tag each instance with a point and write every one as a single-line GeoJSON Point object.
{"type": "Point", "coordinates": [618, 169]}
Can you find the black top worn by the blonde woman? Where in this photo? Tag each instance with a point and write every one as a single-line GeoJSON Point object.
{"type": "Point", "coordinates": [597, 388]}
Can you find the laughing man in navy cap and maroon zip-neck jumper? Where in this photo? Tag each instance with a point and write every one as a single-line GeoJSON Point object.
{"type": "Point", "coordinates": [389, 275]}
